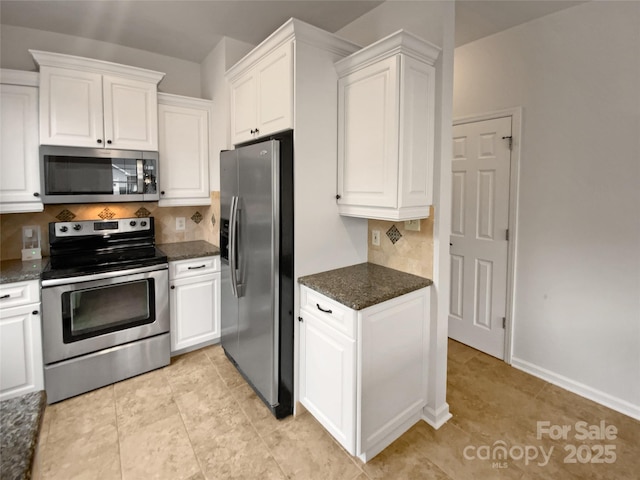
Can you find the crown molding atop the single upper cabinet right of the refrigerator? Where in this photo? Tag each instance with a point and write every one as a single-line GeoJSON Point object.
{"type": "Point", "coordinates": [399, 42]}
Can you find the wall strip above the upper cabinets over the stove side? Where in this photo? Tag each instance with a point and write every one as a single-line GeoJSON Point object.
{"type": "Point", "coordinates": [182, 77]}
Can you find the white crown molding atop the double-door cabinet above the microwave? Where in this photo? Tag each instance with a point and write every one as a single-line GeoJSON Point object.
{"type": "Point", "coordinates": [50, 59]}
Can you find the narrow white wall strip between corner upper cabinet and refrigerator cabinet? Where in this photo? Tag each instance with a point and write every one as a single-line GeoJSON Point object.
{"type": "Point", "coordinates": [214, 86]}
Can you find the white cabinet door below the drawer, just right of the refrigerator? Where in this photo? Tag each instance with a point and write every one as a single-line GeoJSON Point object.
{"type": "Point", "coordinates": [328, 378]}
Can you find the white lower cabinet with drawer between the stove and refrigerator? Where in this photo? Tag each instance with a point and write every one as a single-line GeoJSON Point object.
{"type": "Point", "coordinates": [194, 302]}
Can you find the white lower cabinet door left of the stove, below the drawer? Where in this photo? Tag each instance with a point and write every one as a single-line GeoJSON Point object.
{"type": "Point", "coordinates": [21, 367]}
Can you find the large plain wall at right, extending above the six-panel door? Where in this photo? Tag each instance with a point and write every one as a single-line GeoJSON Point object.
{"type": "Point", "coordinates": [576, 73]}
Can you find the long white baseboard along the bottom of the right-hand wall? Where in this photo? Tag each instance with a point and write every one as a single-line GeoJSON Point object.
{"type": "Point", "coordinates": [578, 388]}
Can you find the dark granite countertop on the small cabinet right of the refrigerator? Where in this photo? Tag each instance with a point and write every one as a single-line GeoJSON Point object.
{"type": "Point", "coordinates": [363, 285]}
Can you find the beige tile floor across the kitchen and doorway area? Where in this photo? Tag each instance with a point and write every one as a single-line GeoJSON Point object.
{"type": "Point", "coordinates": [197, 419]}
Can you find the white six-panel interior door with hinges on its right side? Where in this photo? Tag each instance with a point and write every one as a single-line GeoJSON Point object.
{"type": "Point", "coordinates": [479, 234]}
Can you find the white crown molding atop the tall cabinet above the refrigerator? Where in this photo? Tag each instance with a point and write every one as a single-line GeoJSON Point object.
{"type": "Point", "coordinates": [293, 29]}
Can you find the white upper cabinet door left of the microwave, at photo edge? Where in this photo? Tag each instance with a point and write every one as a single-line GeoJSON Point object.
{"type": "Point", "coordinates": [19, 170]}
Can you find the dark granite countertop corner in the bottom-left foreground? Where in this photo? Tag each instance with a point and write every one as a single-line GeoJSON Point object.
{"type": "Point", "coordinates": [20, 420]}
